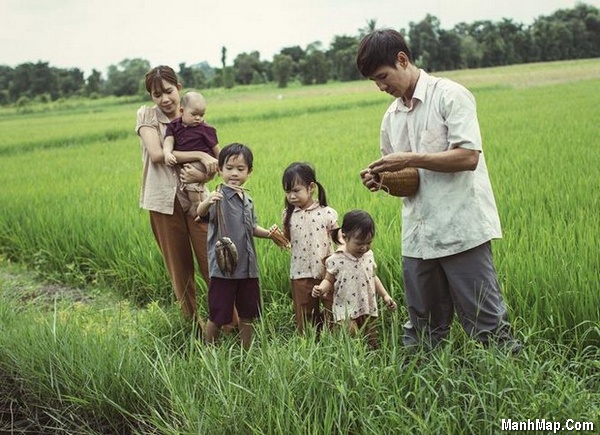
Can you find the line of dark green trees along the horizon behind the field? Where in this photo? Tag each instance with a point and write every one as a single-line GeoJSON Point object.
{"type": "Point", "coordinates": [565, 34]}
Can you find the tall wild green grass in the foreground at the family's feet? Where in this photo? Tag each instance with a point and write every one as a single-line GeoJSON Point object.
{"type": "Point", "coordinates": [117, 370]}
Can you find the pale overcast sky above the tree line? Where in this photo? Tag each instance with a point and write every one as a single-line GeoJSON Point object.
{"type": "Point", "coordinates": [89, 34]}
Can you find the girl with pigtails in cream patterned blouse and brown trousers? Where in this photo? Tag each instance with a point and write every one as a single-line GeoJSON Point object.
{"type": "Point", "coordinates": [307, 224]}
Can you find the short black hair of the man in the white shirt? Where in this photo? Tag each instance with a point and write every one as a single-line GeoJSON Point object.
{"type": "Point", "coordinates": [380, 48]}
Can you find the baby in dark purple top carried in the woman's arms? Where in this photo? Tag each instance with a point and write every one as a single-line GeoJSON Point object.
{"type": "Point", "coordinates": [189, 132]}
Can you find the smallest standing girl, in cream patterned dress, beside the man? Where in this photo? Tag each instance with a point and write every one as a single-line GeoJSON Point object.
{"type": "Point", "coordinates": [351, 275]}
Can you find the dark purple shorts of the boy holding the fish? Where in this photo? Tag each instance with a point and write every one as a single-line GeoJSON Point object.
{"type": "Point", "coordinates": [224, 293]}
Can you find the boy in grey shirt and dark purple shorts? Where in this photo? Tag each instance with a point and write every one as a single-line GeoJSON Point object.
{"type": "Point", "coordinates": [231, 214]}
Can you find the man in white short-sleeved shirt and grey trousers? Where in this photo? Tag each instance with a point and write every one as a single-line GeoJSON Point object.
{"type": "Point", "coordinates": [448, 224]}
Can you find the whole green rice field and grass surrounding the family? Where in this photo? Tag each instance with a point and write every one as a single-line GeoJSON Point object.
{"type": "Point", "coordinates": [110, 354]}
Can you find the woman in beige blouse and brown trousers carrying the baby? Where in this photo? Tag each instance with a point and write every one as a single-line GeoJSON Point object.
{"type": "Point", "coordinates": [178, 236]}
